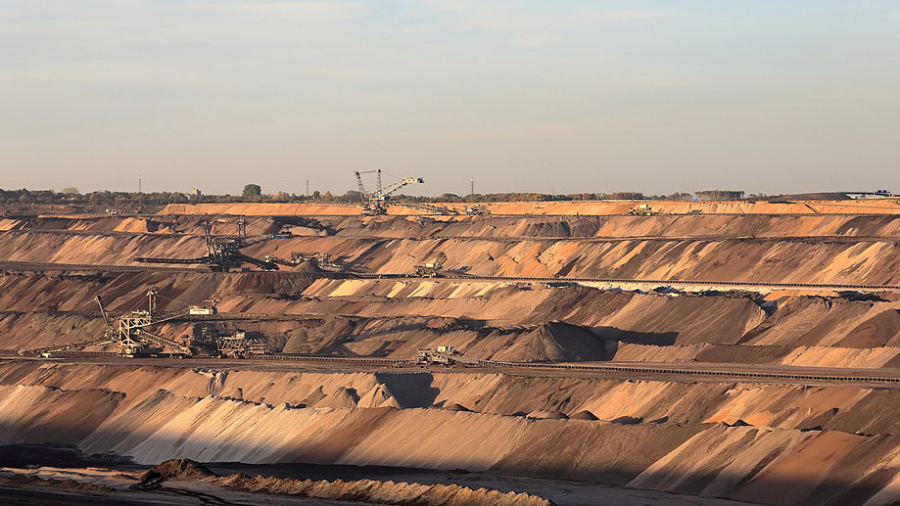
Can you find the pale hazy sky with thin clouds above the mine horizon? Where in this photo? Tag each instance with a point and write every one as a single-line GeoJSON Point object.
{"type": "Point", "coordinates": [556, 95]}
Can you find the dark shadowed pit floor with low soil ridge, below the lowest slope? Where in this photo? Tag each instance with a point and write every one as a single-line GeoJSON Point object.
{"type": "Point", "coordinates": [91, 480]}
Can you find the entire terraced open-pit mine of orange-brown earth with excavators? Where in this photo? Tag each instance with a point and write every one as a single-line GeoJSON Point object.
{"type": "Point", "coordinates": [568, 353]}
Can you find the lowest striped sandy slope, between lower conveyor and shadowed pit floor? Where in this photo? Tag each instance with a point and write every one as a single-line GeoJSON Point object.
{"type": "Point", "coordinates": [645, 433]}
